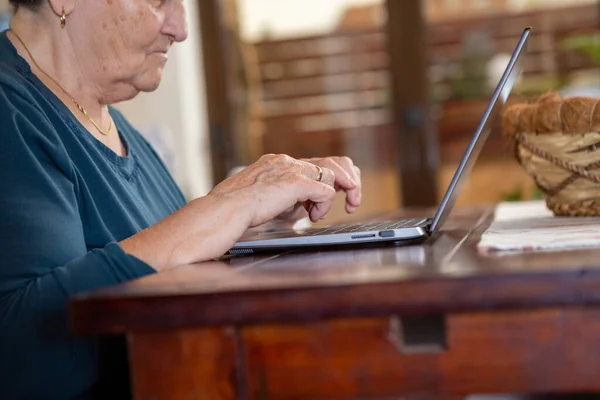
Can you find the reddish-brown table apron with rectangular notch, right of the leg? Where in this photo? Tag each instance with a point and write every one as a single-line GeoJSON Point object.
{"type": "Point", "coordinates": [487, 353]}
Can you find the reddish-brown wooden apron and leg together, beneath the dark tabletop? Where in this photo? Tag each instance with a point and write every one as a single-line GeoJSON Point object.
{"type": "Point", "coordinates": [545, 351]}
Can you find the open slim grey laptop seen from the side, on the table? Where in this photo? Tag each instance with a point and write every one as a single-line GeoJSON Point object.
{"type": "Point", "coordinates": [401, 231]}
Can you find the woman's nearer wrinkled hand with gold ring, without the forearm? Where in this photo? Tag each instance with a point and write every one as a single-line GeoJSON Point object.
{"type": "Point", "coordinates": [276, 185]}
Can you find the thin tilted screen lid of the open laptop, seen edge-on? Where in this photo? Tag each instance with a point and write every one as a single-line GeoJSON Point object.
{"type": "Point", "coordinates": [499, 97]}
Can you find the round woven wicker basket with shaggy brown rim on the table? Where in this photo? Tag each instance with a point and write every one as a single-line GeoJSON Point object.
{"type": "Point", "coordinates": [557, 141]}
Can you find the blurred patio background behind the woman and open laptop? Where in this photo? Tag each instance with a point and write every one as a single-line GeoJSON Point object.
{"type": "Point", "coordinates": [398, 85]}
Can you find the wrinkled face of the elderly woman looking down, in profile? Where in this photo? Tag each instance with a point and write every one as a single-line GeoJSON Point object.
{"type": "Point", "coordinates": [128, 39]}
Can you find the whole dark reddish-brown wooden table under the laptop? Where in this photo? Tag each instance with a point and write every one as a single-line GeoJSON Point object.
{"type": "Point", "coordinates": [432, 321]}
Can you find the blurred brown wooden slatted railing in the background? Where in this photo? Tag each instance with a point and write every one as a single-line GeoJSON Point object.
{"type": "Point", "coordinates": [319, 91]}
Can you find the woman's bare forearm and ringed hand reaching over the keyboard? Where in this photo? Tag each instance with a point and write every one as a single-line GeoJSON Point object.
{"type": "Point", "coordinates": [209, 226]}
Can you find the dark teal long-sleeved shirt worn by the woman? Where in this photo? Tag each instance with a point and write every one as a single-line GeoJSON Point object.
{"type": "Point", "coordinates": [66, 200]}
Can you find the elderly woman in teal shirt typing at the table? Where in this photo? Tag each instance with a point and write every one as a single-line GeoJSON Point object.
{"type": "Point", "coordinates": [85, 202]}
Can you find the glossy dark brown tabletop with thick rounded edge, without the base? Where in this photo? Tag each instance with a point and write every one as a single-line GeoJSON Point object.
{"type": "Point", "coordinates": [445, 274]}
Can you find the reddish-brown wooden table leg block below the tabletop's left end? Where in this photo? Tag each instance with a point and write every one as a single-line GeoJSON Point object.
{"type": "Point", "coordinates": [190, 364]}
